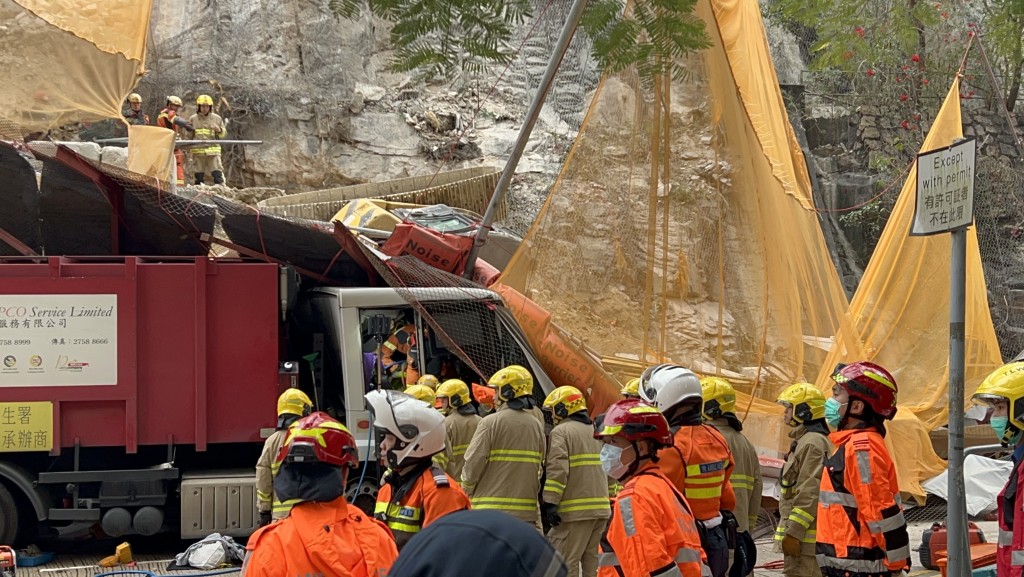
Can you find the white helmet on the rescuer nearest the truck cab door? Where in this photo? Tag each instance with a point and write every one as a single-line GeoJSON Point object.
{"type": "Point", "coordinates": [418, 427]}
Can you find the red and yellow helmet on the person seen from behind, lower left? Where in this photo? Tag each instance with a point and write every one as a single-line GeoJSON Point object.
{"type": "Point", "coordinates": [319, 438]}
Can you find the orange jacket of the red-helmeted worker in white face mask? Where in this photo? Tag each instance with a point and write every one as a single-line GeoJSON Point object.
{"type": "Point", "coordinates": [652, 532]}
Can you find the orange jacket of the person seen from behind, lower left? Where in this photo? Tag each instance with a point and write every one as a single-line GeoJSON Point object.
{"type": "Point", "coordinates": [333, 540]}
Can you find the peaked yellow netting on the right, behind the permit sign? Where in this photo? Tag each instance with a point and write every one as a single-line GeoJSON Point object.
{"type": "Point", "coordinates": [900, 316]}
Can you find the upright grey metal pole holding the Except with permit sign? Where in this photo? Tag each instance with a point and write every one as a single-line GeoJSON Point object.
{"type": "Point", "coordinates": [960, 557]}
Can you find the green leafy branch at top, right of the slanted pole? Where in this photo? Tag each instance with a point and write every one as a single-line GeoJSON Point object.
{"type": "Point", "coordinates": [654, 37]}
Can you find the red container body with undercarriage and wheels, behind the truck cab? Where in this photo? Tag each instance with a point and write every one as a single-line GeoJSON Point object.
{"type": "Point", "coordinates": [126, 381]}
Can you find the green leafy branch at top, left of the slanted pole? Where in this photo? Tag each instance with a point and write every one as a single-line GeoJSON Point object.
{"type": "Point", "coordinates": [439, 38]}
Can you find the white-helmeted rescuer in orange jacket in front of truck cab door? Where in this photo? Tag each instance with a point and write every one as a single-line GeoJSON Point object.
{"type": "Point", "coordinates": [418, 492]}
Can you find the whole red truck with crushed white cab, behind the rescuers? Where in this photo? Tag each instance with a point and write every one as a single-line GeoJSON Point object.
{"type": "Point", "coordinates": [137, 394]}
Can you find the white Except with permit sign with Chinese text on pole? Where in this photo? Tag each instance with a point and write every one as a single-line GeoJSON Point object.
{"type": "Point", "coordinates": [946, 189]}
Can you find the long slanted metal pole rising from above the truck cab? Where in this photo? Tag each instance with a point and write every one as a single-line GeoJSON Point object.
{"type": "Point", "coordinates": [528, 128]}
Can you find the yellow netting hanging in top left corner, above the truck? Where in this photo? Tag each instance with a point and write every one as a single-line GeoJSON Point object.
{"type": "Point", "coordinates": [67, 62]}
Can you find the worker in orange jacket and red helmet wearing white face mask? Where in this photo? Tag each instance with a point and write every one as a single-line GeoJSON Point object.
{"type": "Point", "coordinates": [653, 529]}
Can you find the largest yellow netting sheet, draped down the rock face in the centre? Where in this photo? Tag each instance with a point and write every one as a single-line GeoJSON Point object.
{"type": "Point", "coordinates": [691, 236]}
